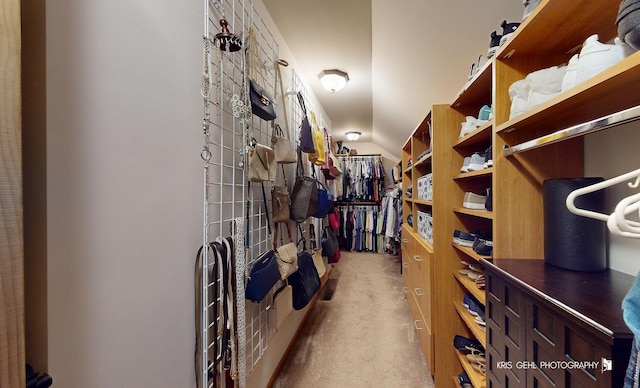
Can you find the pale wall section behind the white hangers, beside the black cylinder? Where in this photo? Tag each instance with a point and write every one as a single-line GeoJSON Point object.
{"type": "Point", "coordinates": [608, 154]}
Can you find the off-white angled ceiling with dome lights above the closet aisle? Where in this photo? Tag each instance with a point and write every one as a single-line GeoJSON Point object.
{"type": "Point", "coordinates": [402, 56]}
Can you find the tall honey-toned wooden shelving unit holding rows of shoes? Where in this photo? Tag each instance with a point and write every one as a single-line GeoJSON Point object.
{"type": "Point", "coordinates": [516, 222]}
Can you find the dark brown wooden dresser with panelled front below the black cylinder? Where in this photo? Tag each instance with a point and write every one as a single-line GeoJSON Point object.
{"type": "Point", "coordinates": [551, 327]}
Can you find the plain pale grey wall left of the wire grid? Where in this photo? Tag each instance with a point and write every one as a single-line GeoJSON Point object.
{"type": "Point", "coordinates": [123, 190]}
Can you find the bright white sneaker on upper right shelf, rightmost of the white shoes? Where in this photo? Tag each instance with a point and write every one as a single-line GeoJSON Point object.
{"type": "Point", "coordinates": [595, 57]}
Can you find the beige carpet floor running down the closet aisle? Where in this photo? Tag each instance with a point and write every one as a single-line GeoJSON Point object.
{"type": "Point", "coordinates": [363, 336]}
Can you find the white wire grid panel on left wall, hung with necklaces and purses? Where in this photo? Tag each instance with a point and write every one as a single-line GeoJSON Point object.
{"type": "Point", "coordinates": [228, 205]}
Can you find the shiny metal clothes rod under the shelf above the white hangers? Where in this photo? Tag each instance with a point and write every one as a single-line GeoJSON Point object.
{"type": "Point", "coordinates": [612, 120]}
